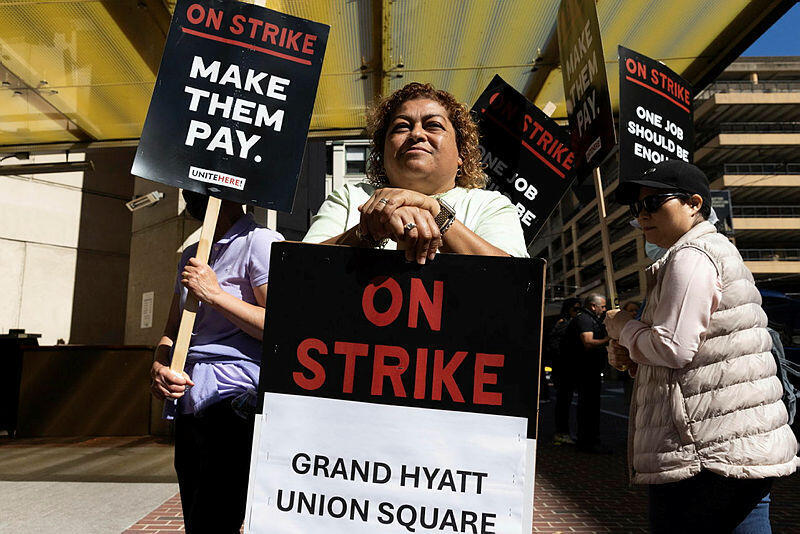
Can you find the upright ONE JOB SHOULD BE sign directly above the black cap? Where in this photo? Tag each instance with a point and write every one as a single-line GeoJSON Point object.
{"type": "Point", "coordinates": [655, 114]}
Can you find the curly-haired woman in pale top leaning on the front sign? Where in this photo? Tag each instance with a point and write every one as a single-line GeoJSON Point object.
{"type": "Point", "coordinates": [425, 188]}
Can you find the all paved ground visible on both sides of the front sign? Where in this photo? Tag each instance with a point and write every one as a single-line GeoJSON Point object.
{"type": "Point", "coordinates": [115, 485]}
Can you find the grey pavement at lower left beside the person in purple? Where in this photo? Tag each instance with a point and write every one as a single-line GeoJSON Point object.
{"type": "Point", "coordinates": [85, 486]}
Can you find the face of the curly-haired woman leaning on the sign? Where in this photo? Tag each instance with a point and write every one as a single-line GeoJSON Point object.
{"type": "Point", "coordinates": [420, 150]}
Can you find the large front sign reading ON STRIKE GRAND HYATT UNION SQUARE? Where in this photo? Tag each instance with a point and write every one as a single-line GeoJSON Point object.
{"type": "Point", "coordinates": [397, 398]}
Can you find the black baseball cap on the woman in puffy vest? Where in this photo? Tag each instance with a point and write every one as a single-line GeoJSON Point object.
{"type": "Point", "coordinates": [672, 174]}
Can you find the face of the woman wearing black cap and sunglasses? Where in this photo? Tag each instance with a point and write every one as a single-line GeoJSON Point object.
{"type": "Point", "coordinates": [674, 218]}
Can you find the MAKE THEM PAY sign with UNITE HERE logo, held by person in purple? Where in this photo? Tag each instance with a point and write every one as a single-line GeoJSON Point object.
{"type": "Point", "coordinates": [232, 103]}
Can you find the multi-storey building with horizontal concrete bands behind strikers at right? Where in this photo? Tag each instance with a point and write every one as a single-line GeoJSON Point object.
{"type": "Point", "coordinates": [747, 140]}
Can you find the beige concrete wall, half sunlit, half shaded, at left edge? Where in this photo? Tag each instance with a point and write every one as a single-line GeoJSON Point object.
{"type": "Point", "coordinates": [64, 242]}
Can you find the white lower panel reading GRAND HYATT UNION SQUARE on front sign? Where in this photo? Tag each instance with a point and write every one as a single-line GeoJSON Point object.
{"type": "Point", "coordinates": [335, 467]}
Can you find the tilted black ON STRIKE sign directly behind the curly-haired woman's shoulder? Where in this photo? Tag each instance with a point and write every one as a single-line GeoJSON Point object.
{"type": "Point", "coordinates": [525, 153]}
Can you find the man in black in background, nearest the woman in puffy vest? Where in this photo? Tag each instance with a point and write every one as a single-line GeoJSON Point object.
{"type": "Point", "coordinates": [584, 343]}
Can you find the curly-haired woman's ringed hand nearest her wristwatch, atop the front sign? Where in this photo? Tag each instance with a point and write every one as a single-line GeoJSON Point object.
{"type": "Point", "coordinates": [415, 228]}
